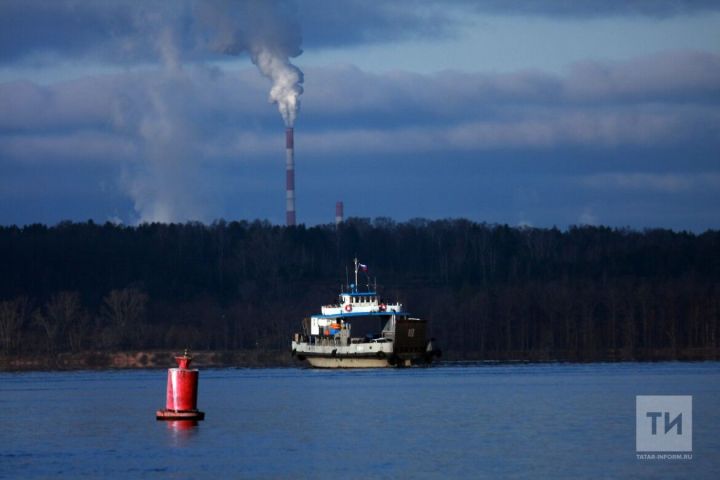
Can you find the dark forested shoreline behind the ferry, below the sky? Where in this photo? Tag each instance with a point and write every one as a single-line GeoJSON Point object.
{"type": "Point", "coordinates": [488, 291]}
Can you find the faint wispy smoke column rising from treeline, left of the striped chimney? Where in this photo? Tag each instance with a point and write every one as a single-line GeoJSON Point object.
{"type": "Point", "coordinates": [158, 113]}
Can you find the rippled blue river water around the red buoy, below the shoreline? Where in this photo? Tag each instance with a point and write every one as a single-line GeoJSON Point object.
{"type": "Point", "coordinates": [457, 421]}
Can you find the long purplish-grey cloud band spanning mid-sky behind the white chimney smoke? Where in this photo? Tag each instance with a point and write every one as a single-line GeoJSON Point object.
{"type": "Point", "coordinates": [347, 110]}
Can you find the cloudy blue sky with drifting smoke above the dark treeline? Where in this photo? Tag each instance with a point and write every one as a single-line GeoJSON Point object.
{"type": "Point", "coordinates": [527, 112]}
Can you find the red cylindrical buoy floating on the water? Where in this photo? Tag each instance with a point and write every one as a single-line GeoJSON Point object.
{"type": "Point", "coordinates": [181, 403]}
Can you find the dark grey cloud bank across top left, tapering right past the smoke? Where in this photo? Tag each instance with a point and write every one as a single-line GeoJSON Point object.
{"type": "Point", "coordinates": [125, 31]}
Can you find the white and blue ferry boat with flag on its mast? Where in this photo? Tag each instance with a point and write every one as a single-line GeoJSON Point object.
{"type": "Point", "coordinates": [363, 331]}
